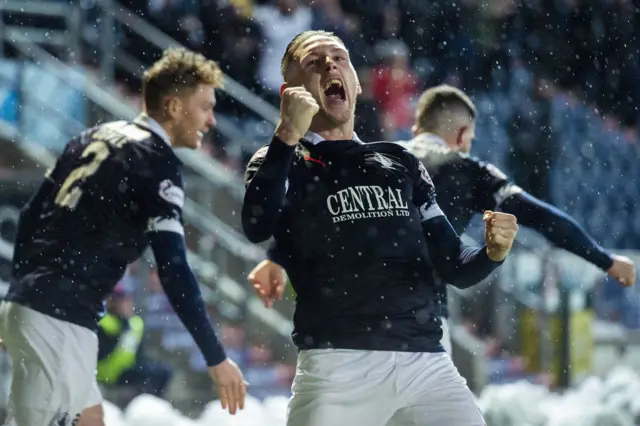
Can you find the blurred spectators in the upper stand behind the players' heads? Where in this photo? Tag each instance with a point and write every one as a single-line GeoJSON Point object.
{"type": "Point", "coordinates": [400, 46]}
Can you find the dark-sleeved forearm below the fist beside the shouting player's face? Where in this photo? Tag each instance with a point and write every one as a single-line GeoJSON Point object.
{"type": "Point", "coordinates": [266, 191]}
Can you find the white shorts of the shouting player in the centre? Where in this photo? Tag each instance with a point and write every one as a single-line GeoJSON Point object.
{"type": "Point", "coordinates": [377, 388]}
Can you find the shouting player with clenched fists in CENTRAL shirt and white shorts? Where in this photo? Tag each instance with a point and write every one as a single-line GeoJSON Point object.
{"type": "Point", "coordinates": [353, 224]}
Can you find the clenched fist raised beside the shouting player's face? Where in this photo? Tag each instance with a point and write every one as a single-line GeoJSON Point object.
{"type": "Point", "coordinates": [297, 108]}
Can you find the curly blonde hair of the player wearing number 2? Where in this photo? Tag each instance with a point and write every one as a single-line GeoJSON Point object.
{"type": "Point", "coordinates": [179, 69]}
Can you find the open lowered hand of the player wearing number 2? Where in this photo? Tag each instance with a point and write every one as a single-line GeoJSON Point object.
{"type": "Point", "coordinates": [232, 388]}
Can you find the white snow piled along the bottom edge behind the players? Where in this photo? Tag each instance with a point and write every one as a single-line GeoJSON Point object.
{"type": "Point", "coordinates": [614, 401]}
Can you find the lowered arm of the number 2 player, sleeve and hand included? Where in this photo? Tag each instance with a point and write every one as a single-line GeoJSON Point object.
{"type": "Point", "coordinates": [166, 237]}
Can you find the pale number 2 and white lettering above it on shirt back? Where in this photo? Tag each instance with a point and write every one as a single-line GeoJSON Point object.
{"type": "Point", "coordinates": [110, 134]}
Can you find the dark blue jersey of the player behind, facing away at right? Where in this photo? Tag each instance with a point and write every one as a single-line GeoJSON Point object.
{"type": "Point", "coordinates": [467, 186]}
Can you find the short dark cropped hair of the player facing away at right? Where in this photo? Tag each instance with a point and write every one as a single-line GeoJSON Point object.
{"type": "Point", "coordinates": [439, 104]}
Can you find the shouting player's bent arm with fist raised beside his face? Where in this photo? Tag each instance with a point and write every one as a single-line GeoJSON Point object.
{"type": "Point", "coordinates": [266, 175]}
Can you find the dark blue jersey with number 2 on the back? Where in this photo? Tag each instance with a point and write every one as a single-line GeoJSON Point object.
{"type": "Point", "coordinates": [89, 219]}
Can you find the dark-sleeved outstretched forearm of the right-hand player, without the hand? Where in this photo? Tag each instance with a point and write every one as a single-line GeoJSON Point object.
{"type": "Point", "coordinates": [556, 226]}
